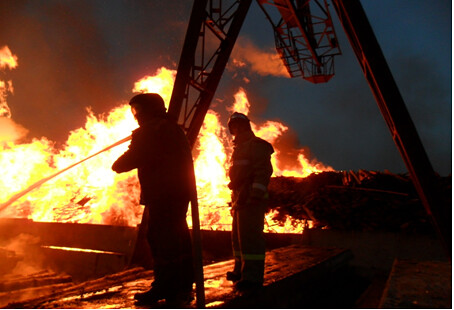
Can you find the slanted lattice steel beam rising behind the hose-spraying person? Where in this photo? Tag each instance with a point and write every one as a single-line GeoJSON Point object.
{"type": "Point", "coordinates": [201, 66]}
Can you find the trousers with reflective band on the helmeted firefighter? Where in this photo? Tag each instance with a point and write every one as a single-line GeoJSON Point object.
{"type": "Point", "coordinates": [248, 242]}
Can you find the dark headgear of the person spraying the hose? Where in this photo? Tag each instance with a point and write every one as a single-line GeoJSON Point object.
{"type": "Point", "coordinates": [149, 104]}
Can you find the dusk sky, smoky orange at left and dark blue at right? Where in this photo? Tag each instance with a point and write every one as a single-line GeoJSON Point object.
{"type": "Point", "coordinates": [75, 54]}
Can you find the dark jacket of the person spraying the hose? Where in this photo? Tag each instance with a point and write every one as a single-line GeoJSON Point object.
{"type": "Point", "coordinates": [161, 153]}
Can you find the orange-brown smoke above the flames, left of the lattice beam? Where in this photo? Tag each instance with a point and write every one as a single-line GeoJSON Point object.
{"type": "Point", "coordinates": [75, 55]}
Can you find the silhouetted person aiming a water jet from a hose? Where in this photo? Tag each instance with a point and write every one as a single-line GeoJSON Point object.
{"type": "Point", "coordinates": [161, 153]}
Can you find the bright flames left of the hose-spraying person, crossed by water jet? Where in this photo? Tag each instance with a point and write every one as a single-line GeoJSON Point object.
{"type": "Point", "coordinates": [85, 194]}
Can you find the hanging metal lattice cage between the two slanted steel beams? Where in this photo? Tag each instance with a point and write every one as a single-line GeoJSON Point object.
{"type": "Point", "coordinates": [304, 36]}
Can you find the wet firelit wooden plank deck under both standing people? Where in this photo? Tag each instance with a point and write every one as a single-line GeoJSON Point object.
{"type": "Point", "coordinates": [289, 272]}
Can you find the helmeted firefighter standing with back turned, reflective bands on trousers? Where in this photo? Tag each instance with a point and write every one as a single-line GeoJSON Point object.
{"type": "Point", "coordinates": [249, 173]}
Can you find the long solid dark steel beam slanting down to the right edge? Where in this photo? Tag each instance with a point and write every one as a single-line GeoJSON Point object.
{"type": "Point", "coordinates": [395, 113]}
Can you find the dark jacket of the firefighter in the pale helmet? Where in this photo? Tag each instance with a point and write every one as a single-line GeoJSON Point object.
{"type": "Point", "coordinates": [250, 169]}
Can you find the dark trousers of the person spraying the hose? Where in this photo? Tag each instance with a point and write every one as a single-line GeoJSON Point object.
{"type": "Point", "coordinates": [171, 248]}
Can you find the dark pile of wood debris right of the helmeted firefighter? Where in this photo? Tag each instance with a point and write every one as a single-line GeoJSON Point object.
{"type": "Point", "coordinates": [360, 201]}
